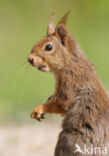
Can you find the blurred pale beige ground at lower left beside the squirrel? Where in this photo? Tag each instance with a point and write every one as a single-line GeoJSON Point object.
{"type": "Point", "coordinates": [29, 140]}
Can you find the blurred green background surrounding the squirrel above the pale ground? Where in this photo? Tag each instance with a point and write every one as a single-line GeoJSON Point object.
{"type": "Point", "coordinates": [22, 24]}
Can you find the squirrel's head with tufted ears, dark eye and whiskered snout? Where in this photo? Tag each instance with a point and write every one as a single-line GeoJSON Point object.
{"type": "Point", "coordinates": [53, 51]}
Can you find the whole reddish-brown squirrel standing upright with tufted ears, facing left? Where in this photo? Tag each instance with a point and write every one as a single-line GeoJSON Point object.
{"type": "Point", "coordinates": [79, 95]}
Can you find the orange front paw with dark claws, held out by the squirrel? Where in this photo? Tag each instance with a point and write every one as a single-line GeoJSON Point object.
{"type": "Point", "coordinates": [37, 114]}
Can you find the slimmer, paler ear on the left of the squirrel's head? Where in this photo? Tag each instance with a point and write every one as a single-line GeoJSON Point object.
{"type": "Point", "coordinates": [51, 29]}
